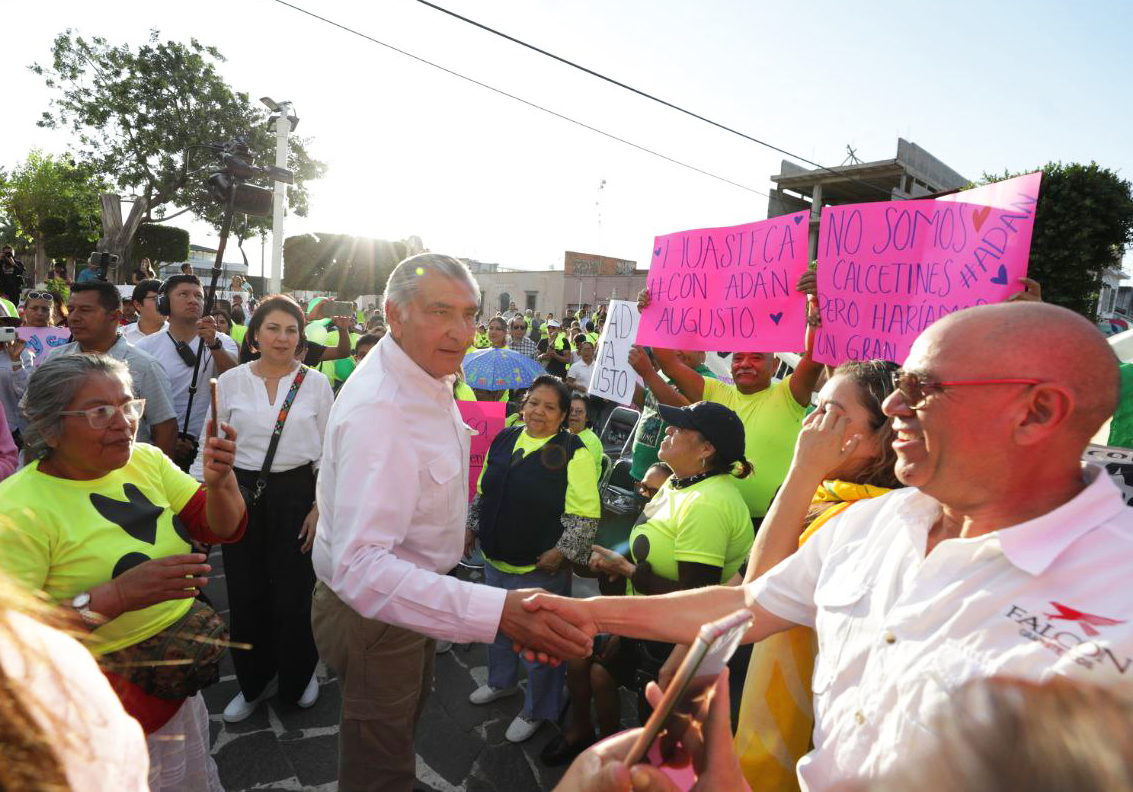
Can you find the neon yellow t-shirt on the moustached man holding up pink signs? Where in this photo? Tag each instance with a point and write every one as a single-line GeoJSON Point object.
{"type": "Point", "coordinates": [772, 420]}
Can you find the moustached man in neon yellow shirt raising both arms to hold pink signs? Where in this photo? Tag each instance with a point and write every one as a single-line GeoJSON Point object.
{"type": "Point", "coordinates": [772, 414]}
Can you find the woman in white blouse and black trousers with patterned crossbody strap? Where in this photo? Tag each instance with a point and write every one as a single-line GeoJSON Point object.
{"type": "Point", "coordinates": [269, 573]}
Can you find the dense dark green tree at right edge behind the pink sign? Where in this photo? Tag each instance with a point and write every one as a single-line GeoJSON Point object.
{"type": "Point", "coordinates": [1084, 224]}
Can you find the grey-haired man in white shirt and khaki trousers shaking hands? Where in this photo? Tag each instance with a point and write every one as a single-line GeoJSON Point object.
{"type": "Point", "coordinates": [393, 503]}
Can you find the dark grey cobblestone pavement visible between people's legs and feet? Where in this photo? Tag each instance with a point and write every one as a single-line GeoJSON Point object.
{"type": "Point", "coordinates": [461, 746]}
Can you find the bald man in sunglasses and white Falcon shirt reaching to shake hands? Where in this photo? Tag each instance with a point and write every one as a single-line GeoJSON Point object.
{"type": "Point", "coordinates": [1004, 557]}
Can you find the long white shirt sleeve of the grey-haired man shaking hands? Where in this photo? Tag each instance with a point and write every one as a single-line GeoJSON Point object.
{"type": "Point", "coordinates": [377, 492]}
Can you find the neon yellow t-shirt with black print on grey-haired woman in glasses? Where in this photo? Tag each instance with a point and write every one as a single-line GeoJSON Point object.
{"type": "Point", "coordinates": [71, 536]}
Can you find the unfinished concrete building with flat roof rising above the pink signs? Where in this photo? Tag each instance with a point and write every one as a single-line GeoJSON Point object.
{"type": "Point", "coordinates": [913, 174]}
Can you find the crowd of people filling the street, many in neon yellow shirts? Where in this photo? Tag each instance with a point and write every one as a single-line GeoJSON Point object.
{"type": "Point", "coordinates": [922, 550]}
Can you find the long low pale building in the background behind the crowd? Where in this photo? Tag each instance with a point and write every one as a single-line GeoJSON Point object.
{"type": "Point", "coordinates": [586, 279]}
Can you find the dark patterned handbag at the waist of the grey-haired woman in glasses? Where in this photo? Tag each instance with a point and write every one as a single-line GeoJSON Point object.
{"type": "Point", "coordinates": [181, 660]}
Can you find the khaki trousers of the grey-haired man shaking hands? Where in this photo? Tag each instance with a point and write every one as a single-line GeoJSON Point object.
{"type": "Point", "coordinates": [386, 675]}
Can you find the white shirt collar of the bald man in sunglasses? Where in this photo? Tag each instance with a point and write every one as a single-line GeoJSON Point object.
{"type": "Point", "coordinates": [1034, 546]}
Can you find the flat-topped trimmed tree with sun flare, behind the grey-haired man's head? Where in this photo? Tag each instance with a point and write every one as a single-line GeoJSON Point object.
{"type": "Point", "coordinates": [343, 265]}
